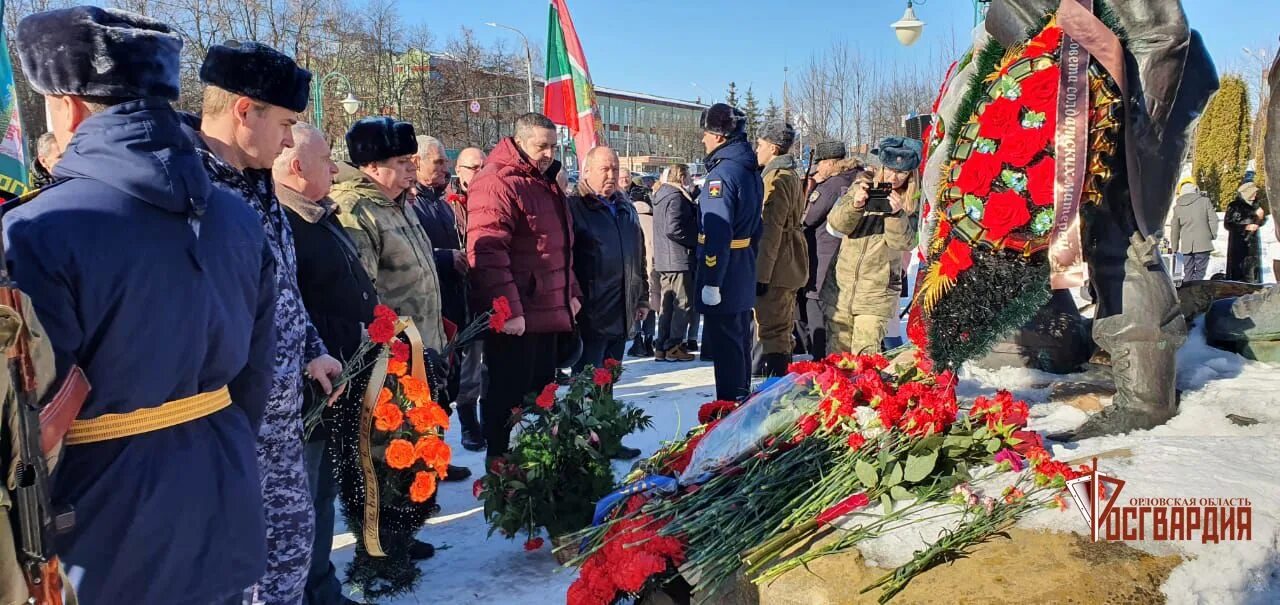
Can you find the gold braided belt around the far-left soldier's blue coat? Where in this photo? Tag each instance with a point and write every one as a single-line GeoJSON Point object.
{"type": "Point", "coordinates": [171, 414]}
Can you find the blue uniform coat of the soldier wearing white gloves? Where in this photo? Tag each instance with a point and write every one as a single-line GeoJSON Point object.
{"type": "Point", "coordinates": [730, 209]}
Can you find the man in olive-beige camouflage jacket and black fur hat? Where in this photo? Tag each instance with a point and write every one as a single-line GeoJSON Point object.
{"type": "Point", "coordinates": [394, 246]}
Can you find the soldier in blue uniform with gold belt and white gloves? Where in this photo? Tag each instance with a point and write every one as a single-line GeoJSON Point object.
{"type": "Point", "coordinates": [730, 207]}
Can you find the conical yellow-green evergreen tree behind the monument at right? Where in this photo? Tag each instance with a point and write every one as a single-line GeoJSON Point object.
{"type": "Point", "coordinates": [1223, 143]}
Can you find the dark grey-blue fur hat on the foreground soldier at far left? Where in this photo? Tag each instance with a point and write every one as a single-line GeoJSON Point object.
{"type": "Point", "coordinates": [88, 52]}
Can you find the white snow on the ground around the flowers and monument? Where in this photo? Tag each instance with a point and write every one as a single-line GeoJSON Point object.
{"type": "Point", "coordinates": [1199, 453]}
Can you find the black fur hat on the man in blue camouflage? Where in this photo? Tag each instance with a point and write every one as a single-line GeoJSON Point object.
{"type": "Point", "coordinates": [259, 72]}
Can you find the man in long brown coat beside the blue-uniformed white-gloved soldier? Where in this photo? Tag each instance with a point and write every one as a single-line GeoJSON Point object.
{"type": "Point", "coordinates": [783, 265]}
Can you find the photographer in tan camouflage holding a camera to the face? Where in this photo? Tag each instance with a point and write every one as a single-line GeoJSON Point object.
{"type": "Point", "coordinates": [875, 222]}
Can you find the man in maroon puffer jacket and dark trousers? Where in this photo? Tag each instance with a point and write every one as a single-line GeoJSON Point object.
{"type": "Point", "coordinates": [520, 242]}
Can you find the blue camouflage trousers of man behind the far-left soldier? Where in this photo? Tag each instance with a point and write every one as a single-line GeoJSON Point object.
{"type": "Point", "coordinates": [286, 498]}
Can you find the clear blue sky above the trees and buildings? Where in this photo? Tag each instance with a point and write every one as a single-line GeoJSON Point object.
{"type": "Point", "coordinates": [665, 47]}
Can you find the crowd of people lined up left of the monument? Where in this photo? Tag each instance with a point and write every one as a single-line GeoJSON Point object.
{"type": "Point", "coordinates": [207, 273]}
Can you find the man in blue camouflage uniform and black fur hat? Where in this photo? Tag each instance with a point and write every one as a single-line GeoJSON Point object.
{"type": "Point", "coordinates": [253, 98]}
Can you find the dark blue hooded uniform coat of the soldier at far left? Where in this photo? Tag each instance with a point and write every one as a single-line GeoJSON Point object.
{"type": "Point", "coordinates": [161, 288]}
